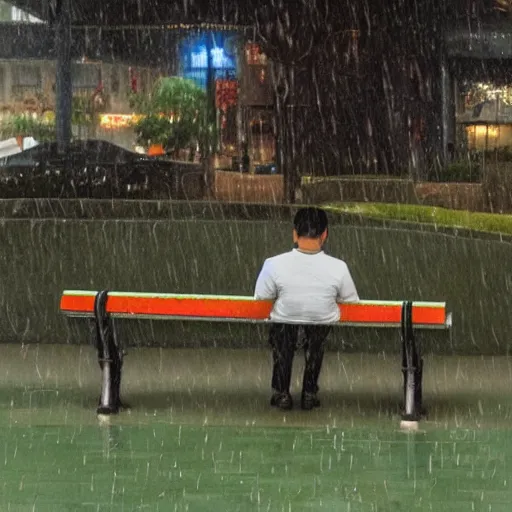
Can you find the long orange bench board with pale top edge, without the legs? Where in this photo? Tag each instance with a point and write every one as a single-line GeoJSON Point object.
{"type": "Point", "coordinates": [366, 313]}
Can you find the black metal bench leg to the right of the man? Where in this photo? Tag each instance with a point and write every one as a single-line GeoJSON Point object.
{"type": "Point", "coordinates": [412, 368]}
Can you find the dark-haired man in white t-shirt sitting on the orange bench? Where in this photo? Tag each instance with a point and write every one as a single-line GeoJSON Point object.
{"type": "Point", "coordinates": [306, 285]}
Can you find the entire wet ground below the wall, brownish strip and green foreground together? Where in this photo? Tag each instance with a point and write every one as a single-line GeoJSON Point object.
{"type": "Point", "coordinates": [201, 436]}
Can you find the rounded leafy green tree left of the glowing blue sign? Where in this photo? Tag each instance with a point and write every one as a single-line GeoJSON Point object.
{"type": "Point", "coordinates": [175, 115]}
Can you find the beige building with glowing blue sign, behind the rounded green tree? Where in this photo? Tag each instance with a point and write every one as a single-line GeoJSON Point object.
{"type": "Point", "coordinates": [110, 64]}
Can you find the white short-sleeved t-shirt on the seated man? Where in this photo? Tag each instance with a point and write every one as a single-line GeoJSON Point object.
{"type": "Point", "coordinates": [306, 287]}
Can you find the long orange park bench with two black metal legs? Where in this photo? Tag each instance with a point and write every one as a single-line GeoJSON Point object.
{"type": "Point", "coordinates": [104, 307]}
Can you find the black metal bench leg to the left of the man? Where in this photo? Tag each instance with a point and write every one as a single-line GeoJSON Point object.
{"type": "Point", "coordinates": [110, 357]}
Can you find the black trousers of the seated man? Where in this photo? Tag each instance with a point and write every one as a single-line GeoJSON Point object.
{"type": "Point", "coordinates": [284, 339]}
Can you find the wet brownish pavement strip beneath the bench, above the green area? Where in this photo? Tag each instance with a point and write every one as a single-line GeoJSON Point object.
{"type": "Point", "coordinates": [57, 384]}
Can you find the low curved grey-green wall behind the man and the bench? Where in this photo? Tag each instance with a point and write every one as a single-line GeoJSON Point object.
{"type": "Point", "coordinates": [40, 257]}
